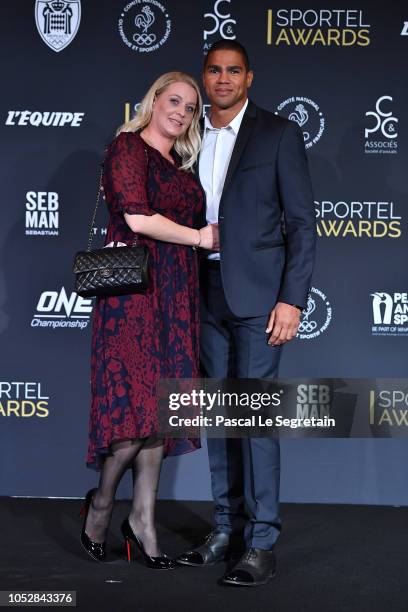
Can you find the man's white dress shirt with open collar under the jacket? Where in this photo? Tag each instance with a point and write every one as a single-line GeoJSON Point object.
{"type": "Point", "coordinates": [215, 155]}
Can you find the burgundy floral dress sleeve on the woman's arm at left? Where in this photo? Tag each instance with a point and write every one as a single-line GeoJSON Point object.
{"type": "Point", "coordinates": [125, 175]}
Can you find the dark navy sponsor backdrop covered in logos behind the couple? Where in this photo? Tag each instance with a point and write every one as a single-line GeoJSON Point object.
{"type": "Point", "coordinates": [73, 71]}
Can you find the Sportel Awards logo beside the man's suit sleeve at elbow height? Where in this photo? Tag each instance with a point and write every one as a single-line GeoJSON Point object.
{"type": "Point", "coordinates": [357, 219]}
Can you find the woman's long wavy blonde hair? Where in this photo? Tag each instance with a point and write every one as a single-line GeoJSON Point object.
{"type": "Point", "coordinates": [188, 144]}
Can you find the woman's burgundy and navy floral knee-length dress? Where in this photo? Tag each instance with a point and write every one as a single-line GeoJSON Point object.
{"type": "Point", "coordinates": [138, 339]}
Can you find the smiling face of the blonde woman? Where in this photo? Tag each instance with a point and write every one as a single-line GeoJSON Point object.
{"type": "Point", "coordinates": [174, 109]}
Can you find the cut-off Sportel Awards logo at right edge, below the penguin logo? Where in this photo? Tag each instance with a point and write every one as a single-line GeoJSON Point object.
{"type": "Point", "coordinates": [389, 406]}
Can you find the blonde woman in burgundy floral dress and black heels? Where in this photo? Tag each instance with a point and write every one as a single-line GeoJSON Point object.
{"type": "Point", "coordinates": [137, 339]}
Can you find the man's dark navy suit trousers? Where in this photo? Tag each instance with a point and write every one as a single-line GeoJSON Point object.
{"type": "Point", "coordinates": [244, 471]}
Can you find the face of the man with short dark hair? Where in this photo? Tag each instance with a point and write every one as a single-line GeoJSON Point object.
{"type": "Point", "coordinates": [226, 80]}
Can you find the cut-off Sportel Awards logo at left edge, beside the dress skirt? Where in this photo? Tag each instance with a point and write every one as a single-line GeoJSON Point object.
{"type": "Point", "coordinates": [23, 399]}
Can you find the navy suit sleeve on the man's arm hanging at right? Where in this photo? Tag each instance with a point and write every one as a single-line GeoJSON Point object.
{"type": "Point", "coordinates": [299, 217]}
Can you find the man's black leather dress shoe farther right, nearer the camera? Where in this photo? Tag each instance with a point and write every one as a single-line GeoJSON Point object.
{"type": "Point", "coordinates": [256, 567]}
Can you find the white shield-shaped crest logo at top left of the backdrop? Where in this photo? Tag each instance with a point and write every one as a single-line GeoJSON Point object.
{"type": "Point", "coordinates": [57, 21]}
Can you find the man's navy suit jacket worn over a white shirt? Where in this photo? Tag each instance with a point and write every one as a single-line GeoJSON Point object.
{"type": "Point", "coordinates": [267, 220]}
